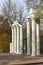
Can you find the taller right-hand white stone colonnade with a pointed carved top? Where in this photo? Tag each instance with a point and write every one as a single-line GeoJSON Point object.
{"type": "Point", "coordinates": [35, 33]}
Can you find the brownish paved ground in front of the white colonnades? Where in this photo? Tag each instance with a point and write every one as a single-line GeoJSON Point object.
{"type": "Point", "coordinates": [13, 59]}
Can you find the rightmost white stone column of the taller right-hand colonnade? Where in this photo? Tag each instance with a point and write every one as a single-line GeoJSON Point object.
{"type": "Point", "coordinates": [37, 39]}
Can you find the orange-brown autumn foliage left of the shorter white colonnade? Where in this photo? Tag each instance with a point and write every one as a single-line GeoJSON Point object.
{"type": "Point", "coordinates": [5, 37]}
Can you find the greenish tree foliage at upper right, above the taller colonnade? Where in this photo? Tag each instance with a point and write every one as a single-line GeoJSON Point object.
{"type": "Point", "coordinates": [37, 4]}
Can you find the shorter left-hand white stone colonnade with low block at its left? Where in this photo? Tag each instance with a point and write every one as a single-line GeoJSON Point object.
{"type": "Point", "coordinates": [17, 42]}
